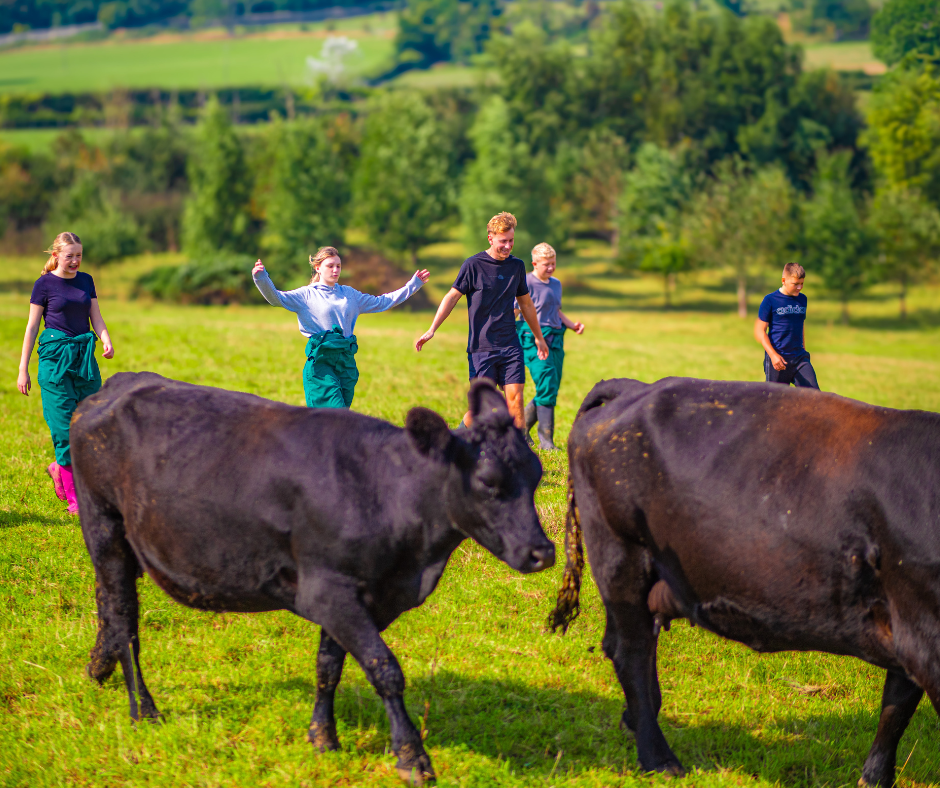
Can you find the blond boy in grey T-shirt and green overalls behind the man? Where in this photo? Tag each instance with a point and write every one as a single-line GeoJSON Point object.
{"type": "Point", "coordinates": [545, 291]}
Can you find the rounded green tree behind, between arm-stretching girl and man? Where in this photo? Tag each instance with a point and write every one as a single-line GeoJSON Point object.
{"type": "Point", "coordinates": [403, 186]}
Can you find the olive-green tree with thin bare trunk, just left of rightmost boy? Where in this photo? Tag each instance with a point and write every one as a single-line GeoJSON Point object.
{"type": "Point", "coordinates": [743, 219]}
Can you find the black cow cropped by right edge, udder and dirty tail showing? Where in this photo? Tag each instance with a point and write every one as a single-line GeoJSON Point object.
{"type": "Point", "coordinates": [785, 519]}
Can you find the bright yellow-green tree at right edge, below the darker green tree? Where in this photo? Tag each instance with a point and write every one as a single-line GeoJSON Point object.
{"type": "Point", "coordinates": [904, 131]}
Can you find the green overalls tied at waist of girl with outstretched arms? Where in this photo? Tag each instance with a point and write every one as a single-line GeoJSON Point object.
{"type": "Point", "coordinates": [330, 374]}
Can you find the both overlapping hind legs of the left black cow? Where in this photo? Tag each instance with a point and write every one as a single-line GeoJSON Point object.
{"type": "Point", "coordinates": [116, 573]}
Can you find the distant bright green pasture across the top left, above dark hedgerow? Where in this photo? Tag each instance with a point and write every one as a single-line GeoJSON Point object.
{"type": "Point", "coordinates": [199, 60]}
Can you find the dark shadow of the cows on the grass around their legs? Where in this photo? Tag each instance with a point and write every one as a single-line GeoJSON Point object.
{"type": "Point", "coordinates": [529, 728]}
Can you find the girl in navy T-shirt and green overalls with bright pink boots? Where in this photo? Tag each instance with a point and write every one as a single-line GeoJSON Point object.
{"type": "Point", "coordinates": [65, 299]}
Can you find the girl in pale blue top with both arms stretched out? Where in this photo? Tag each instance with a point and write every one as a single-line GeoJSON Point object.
{"type": "Point", "coordinates": [326, 313]}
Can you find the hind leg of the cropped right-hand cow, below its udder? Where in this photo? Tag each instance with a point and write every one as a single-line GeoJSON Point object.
{"type": "Point", "coordinates": [630, 644]}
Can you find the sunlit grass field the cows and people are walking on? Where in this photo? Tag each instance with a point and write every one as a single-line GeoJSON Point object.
{"type": "Point", "coordinates": [503, 703]}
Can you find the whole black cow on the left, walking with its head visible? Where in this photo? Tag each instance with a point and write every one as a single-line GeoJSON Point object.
{"type": "Point", "coordinates": [232, 502]}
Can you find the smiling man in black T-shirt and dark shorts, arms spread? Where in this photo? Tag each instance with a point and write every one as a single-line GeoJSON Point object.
{"type": "Point", "coordinates": [492, 281]}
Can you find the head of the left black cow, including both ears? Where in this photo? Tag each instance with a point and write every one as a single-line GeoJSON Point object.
{"type": "Point", "coordinates": [491, 495]}
